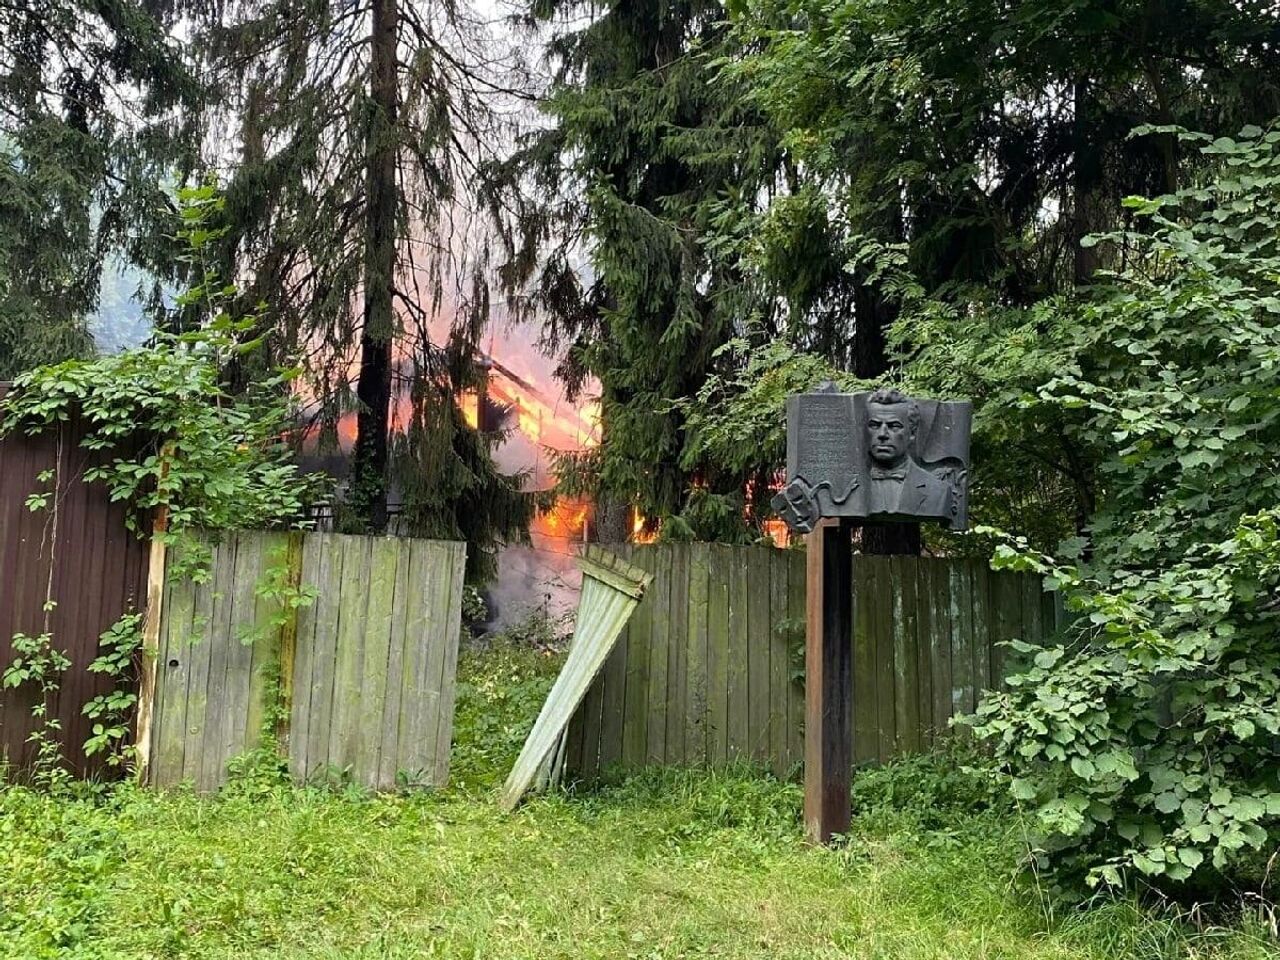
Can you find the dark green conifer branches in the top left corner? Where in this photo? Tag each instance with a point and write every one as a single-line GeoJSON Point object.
{"type": "Point", "coordinates": [93, 107]}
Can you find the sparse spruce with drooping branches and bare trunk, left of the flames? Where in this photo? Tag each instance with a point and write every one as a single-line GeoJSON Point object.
{"type": "Point", "coordinates": [359, 130]}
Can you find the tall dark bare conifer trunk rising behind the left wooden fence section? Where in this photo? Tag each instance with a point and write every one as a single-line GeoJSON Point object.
{"type": "Point", "coordinates": [369, 469]}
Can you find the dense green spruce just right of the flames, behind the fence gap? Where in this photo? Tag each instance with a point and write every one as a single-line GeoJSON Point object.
{"type": "Point", "coordinates": [618, 213]}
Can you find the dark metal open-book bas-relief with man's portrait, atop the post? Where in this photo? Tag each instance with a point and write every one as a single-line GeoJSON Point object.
{"type": "Point", "coordinates": [875, 456]}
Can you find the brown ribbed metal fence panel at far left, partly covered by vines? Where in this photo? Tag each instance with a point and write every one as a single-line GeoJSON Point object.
{"type": "Point", "coordinates": [84, 559]}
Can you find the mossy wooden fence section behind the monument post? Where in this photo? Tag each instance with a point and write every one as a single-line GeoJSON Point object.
{"type": "Point", "coordinates": [710, 669]}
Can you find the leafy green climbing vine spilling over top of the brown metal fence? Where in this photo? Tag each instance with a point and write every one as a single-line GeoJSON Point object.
{"type": "Point", "coordinates": [214, 460]}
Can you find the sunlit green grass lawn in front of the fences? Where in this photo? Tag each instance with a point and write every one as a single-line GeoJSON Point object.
{"type": "Point", "coordinates": [673, 865]}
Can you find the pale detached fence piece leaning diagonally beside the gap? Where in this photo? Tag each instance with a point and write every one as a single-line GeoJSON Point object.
{"type": "Point", "coordinates": [611, 591]}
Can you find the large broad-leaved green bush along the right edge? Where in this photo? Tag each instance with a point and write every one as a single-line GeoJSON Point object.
{"type": "Point", "coordinates": [1146, 742]}
